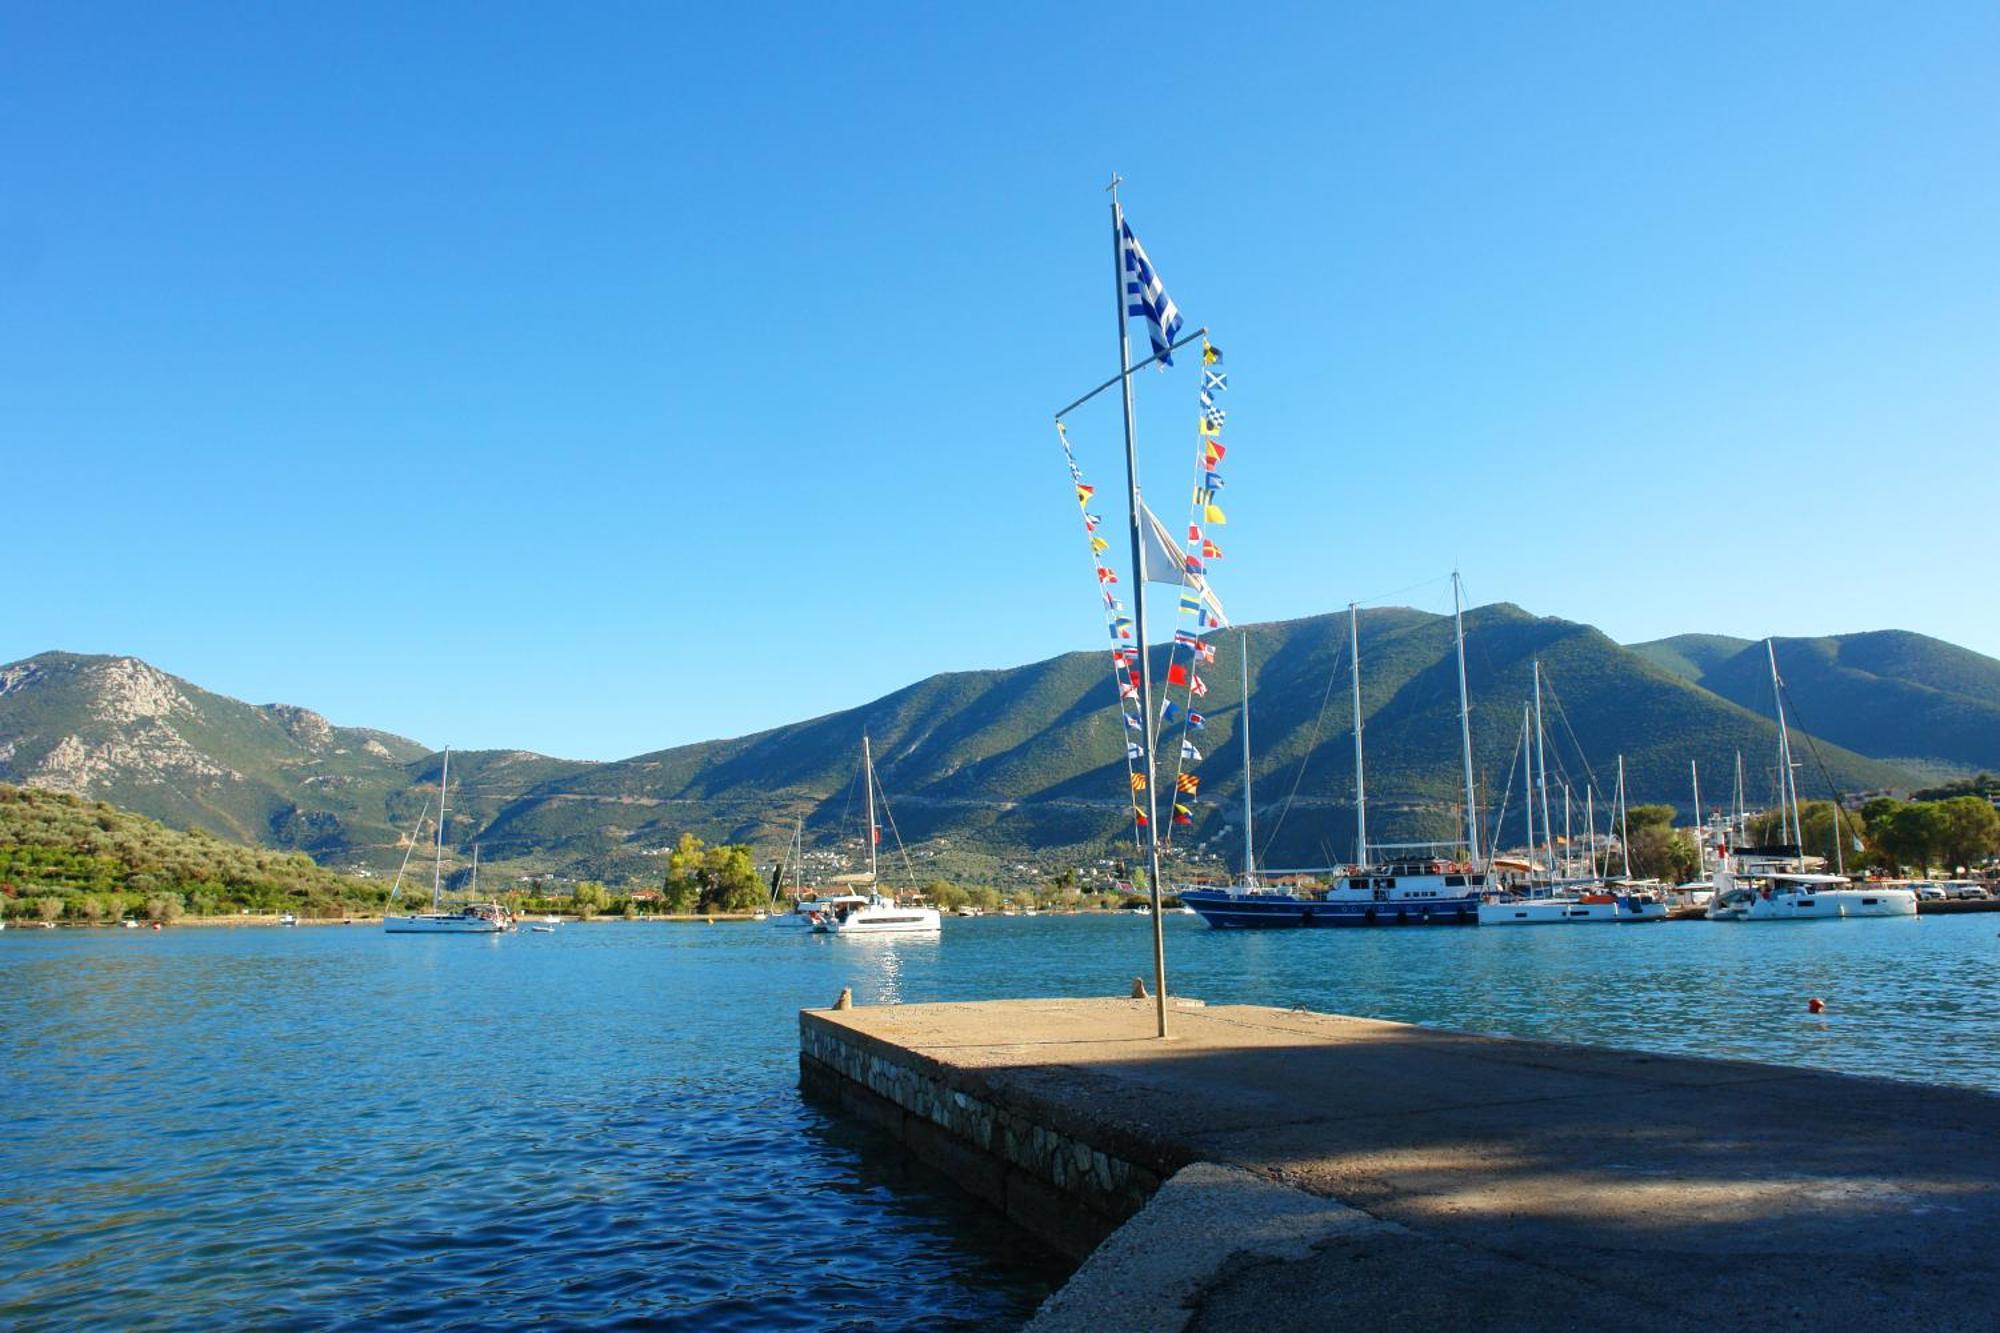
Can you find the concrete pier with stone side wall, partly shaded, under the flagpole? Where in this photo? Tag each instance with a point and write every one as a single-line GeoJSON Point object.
{"type": "Point", "coordinates": [1283, 1170]}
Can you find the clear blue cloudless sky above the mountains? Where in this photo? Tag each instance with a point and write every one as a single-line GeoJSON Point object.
{"type": "Point", "coordinates": [603, 377]}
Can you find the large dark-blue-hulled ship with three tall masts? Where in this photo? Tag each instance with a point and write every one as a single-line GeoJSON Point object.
{"type": "Point", "coordinates": [1407, 890]}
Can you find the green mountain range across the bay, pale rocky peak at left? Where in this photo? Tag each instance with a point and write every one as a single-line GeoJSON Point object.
{"type": "Point", "coordinates": [993, 768]}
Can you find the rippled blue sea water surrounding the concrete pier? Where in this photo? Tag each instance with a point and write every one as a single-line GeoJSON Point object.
{"type": "Point", "coordinates": [603, 1126]}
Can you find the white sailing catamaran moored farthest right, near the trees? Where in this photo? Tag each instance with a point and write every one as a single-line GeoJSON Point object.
{"type": "Point", "coordinates": [1771, 884]}
